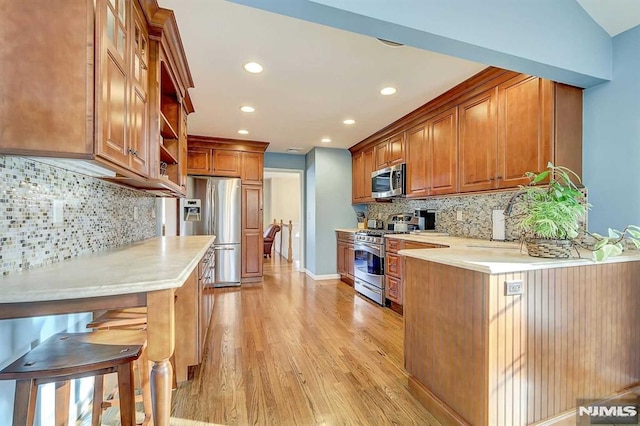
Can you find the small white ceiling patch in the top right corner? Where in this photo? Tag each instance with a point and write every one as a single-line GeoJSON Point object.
{"type": "Point", "coordinates": [614, 16]}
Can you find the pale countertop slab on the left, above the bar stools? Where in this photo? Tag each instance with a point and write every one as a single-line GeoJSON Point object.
{"type": "Point", "coordinates": [154, 264]}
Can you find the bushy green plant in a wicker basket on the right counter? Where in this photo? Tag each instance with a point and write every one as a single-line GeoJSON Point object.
{"type": "Point", "coordinates": [548, 211]}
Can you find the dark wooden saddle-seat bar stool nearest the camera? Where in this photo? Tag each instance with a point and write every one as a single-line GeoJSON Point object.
{"type": "Point", "coordinates": [68, 356]}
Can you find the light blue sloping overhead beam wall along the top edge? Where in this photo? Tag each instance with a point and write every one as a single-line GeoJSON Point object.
{"type": "Point", "coordinates": [555, 39]}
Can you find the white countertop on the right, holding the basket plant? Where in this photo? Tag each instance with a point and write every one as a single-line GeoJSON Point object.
{"type": "Point", "coordinates": [493, 257]}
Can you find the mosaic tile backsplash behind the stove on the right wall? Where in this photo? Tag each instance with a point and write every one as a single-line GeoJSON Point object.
{"type": "Point", "coordinates": [476, 213]}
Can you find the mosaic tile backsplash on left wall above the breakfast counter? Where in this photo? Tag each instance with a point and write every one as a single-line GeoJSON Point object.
{"type": "Point", "coordinates": [96, 215]}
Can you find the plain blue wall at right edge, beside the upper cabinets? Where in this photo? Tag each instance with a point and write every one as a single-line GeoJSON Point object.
{"type": "Point", "coordinates": [611, 139]}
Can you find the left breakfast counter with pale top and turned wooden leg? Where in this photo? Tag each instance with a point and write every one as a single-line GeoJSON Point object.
{"type": "Point", "coordinates": [148, 273]}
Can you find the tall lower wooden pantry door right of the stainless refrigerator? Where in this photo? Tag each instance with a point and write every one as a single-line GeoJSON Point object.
{"type": "Point", "coordinates": [252, 245]}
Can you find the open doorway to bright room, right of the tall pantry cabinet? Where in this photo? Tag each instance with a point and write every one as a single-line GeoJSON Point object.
{"type": "Point", "coordinates": [283, 203]}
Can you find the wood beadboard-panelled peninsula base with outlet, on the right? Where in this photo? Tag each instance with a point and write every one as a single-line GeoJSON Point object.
{"type": "Point", "coordinates": [476, 356]}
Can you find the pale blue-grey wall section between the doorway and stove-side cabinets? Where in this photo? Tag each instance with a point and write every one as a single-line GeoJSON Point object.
{"type": "Point", "coordinates": [328, 179]}
